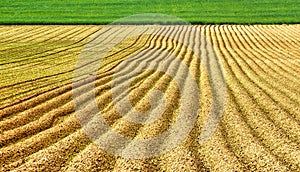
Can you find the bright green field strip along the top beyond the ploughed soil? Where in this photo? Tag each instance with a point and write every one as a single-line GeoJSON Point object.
{"type": "Point", "coordinates": [107, 11]}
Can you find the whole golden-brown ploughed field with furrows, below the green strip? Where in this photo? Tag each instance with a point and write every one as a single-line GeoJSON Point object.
{"type": "Point", "coordinates": [49, 123]}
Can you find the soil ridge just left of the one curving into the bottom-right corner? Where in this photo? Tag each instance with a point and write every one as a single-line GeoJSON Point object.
{"type": "Point", "coordinates": [238, 132]}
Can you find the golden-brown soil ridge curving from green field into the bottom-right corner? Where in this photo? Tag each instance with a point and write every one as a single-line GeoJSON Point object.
{"type": "Point", "coordinates": [270, 137]}
